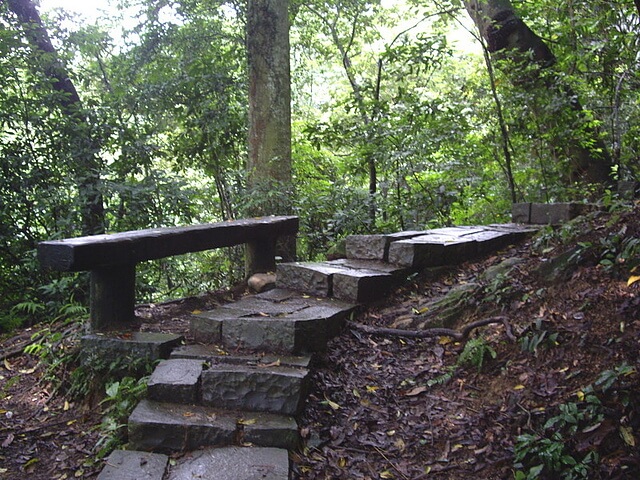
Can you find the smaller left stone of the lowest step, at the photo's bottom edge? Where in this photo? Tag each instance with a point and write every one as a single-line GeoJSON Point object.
{"type": "Point", "coordinates": [132, 465]}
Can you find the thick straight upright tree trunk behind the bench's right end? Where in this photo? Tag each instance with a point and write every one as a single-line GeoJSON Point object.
{"type": "Point", "coordinates": [269, 143]}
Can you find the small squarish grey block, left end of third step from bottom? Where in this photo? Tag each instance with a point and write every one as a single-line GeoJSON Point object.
{"type": "Point", "coordinates": [176, 381]}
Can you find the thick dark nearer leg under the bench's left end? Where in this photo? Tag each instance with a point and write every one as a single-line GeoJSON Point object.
{"type": "Point", "coordinates": [112, 297]}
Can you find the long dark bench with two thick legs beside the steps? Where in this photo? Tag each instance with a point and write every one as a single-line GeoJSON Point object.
{"type": "Point", "coordinates": [112, 258]}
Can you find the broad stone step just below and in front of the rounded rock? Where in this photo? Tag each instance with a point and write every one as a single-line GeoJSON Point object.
{"type": "Point", "coordinates": [276, 321]}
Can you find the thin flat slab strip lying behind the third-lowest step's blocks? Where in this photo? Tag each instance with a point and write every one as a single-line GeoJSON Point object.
{"type": "Point", "coordinates": [214, 354]}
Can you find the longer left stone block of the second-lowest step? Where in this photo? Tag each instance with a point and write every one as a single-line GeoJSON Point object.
{"type": "Point", "coordinates": [167, 427]}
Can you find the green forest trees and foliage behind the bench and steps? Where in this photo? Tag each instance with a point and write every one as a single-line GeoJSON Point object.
{"type": "Point", "coordinates": [405, 115]}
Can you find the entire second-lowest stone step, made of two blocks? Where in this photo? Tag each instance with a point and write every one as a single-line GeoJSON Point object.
{"type": "Point", "coordinates": [169, 427]}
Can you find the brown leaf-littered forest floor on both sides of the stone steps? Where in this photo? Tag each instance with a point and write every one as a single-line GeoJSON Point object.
{"type": "Point", "coordinates": [555, 385]}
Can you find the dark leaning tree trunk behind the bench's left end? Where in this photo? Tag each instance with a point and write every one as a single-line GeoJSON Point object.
{"type": "Point", "coordinates": [86, 166]}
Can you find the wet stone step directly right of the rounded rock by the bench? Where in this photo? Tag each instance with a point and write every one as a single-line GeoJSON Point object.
{"type": "Point", "coordinates": [358, 281]}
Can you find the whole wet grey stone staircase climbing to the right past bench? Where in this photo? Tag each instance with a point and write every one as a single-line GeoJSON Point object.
{"type": "Point", "coordinates": [233, 416]}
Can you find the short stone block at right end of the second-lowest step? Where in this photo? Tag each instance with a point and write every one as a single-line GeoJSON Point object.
{"type": "Point", "coordinates": [269, 430]}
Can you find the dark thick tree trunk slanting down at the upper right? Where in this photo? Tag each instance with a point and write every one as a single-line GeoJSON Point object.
{"type": "Point", "coordinates": [507, 36]}
